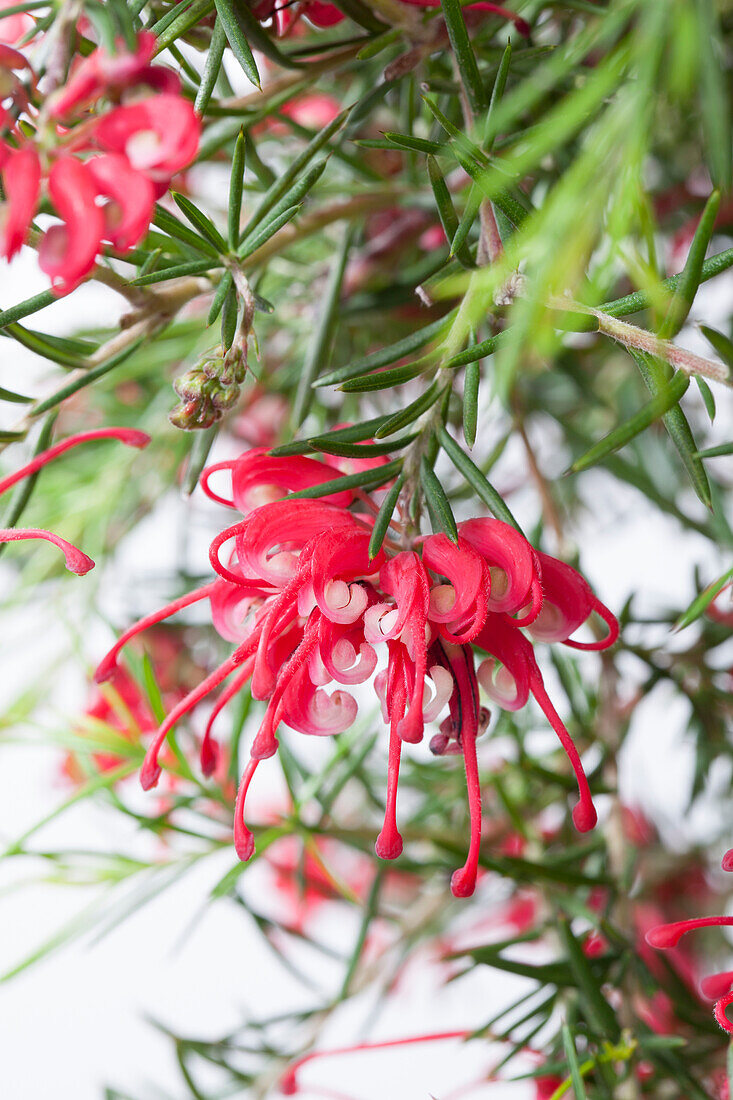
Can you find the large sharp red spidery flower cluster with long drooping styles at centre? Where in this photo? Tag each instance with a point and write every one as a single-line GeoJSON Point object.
{"type": "Point", "coordinates": [308, 607]}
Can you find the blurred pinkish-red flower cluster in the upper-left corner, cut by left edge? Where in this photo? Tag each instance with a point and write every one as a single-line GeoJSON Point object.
{"type": "Point", "coordinates": [101, 173]}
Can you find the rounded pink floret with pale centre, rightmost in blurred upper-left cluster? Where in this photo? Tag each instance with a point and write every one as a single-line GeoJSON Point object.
{"type": "Point", "coordinates": [159, 136]}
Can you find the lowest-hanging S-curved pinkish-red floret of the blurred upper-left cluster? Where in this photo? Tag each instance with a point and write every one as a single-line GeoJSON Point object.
{"type": "Point", "coordinates": [68, 252]}
